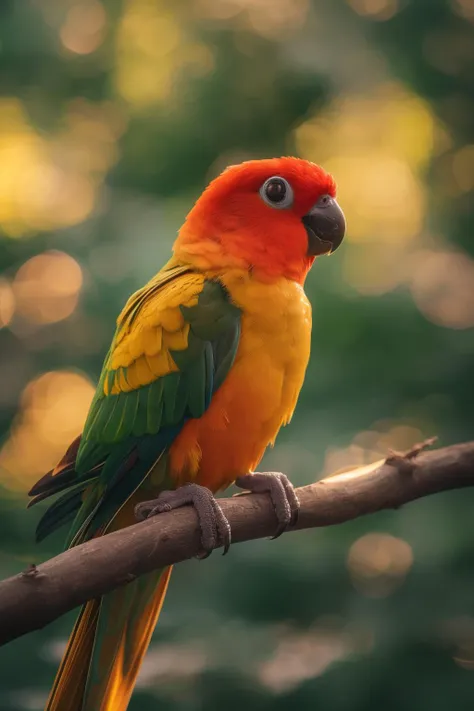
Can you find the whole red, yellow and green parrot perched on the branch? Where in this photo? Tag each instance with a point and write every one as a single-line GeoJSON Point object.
{"type": "Point", "coordinates": [205, 367]}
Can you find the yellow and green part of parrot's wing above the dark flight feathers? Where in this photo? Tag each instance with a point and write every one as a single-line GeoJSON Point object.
{"type": "Point", "coordinates": [161, 366]}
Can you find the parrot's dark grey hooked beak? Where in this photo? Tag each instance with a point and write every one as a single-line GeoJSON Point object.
{"type": "Point", "coordinates": [325, 225]}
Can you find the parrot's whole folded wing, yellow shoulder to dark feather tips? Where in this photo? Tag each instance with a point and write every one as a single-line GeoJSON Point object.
{"type": "Point", "coordinates": [175, 342]}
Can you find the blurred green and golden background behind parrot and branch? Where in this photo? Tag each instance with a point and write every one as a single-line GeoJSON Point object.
{"type": "Point", "coordinates": [113, 117]}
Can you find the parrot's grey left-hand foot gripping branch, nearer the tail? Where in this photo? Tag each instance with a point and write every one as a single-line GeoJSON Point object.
{"type": "Point", "coordinates": [215, 528]}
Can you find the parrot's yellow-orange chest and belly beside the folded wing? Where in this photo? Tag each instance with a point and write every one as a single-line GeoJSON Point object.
{"type": "Point", "coordinates": [260, 391]}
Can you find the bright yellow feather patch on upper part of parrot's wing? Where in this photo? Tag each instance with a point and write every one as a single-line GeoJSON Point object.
{"type": "Point", "coordinates": [145, 337]}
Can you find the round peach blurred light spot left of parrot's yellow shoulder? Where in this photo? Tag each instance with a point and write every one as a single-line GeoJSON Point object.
{"type": "Point", "coordinates": [46, 288]}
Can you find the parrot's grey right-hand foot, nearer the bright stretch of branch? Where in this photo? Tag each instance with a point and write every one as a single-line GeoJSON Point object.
{"type": "Point", "coordinates": [282, 494]}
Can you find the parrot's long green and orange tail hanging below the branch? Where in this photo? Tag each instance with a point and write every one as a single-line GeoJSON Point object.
{"type": "Point", "coordinates": [109, 640]}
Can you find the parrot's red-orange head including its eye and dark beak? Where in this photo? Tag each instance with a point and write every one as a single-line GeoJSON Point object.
{"type": "Point", "coordinates": [271, 216]}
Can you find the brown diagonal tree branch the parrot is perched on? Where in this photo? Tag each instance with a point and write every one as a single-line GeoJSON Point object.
{"type": "Point", "coordinates": [37, 596]}
